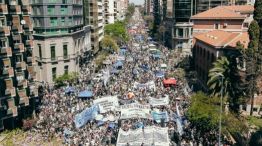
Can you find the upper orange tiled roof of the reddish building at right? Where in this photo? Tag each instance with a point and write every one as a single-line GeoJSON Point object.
{"type": "Point", "coordinates": [225, 12]}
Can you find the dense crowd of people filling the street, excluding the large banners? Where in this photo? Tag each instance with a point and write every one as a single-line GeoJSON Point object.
{"type": "Point", "coordinates": [59, 108]}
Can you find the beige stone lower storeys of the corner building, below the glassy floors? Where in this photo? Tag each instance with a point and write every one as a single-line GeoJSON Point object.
{"type": "Point", "coordinates": [60, 54]}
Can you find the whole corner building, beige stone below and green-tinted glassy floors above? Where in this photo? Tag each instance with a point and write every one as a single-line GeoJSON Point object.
{"type": "Point", "coordinates": [60, 37]}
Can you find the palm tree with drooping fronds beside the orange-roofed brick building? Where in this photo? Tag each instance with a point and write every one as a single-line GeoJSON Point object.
{"type": "Point", "coordinates": [226, 68]}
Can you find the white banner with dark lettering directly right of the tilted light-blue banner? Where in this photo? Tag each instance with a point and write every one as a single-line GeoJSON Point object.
{"type": "Point", "coordinates": [106, 104]}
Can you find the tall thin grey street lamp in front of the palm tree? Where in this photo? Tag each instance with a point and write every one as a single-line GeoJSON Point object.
{"type": "Point", "coordinates": [221, 100]}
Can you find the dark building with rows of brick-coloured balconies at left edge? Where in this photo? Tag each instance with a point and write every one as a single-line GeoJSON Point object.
{"type": "Point", "coordinates": [17, 73]}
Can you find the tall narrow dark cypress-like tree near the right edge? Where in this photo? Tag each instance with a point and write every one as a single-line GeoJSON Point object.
{"type": "Point", "coordinates": [251, 55]}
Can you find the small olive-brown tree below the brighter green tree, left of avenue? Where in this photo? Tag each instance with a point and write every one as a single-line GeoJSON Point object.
{"type": "Point", "coordinates": [108, 44]}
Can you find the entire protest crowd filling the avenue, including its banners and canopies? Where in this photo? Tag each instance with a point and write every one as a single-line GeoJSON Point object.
{"type": "Point", "coordinates": [130, 102]}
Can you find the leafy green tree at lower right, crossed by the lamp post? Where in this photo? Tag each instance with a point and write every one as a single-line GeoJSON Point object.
{"type": "Point", "coordinates": [203, 115]}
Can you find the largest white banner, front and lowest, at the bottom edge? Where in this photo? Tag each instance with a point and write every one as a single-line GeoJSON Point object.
{"type": "Point", "coordinates": [148, 135]}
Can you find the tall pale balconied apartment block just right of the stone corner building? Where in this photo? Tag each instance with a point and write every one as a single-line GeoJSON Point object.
{"type": "Point", "coordinates": [94, 17]}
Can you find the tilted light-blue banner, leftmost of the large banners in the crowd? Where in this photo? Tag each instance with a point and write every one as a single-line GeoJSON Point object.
{"type": "Point", "coordinates": [86, 115]}
